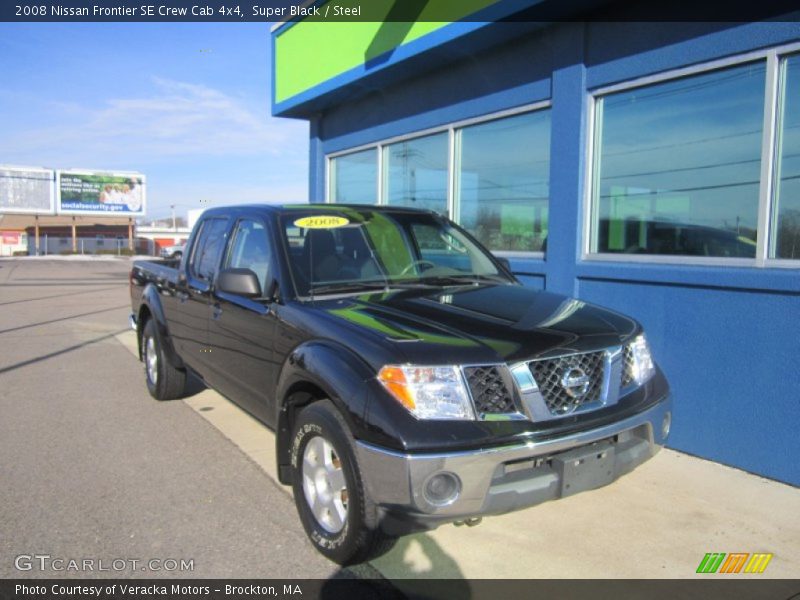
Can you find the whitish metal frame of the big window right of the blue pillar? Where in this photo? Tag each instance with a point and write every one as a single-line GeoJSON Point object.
{"type": "Point", "coordinates": [774, 59]}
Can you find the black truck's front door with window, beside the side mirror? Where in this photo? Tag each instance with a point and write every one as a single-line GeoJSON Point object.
{"type": "Point", "coordinates": [242, 330]}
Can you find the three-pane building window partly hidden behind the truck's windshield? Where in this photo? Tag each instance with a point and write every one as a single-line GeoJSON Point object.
{"type": "Point", "coordinates": [495, 180]}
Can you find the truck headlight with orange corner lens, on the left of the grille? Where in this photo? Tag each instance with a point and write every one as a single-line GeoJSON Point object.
{"type": "Point", "coordinates": [429, 392]}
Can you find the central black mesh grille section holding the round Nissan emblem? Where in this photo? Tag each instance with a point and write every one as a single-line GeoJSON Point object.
{"type": "Point", "coordinates": [559, 380]}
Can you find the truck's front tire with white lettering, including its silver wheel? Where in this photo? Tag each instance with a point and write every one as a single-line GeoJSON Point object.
{"type": "Point", "coordinates": [339, 517]}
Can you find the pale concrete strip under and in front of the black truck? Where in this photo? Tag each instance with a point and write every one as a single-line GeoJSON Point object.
{"type": "Point", "coordinates": [657, 522]}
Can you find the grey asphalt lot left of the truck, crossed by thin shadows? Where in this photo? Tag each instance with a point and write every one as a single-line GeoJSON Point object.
{"type": "Point", "coordinates": [94, 468]}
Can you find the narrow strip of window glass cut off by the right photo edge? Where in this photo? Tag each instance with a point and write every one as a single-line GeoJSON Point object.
{"type": "Point", "coordinates": [787, 244]}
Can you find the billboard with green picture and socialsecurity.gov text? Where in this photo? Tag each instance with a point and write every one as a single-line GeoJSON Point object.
{"type": "Point", "coordinates": [88, 193]}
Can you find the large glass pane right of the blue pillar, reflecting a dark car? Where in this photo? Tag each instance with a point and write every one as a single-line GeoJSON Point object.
{"type": "Point", "coordinates": [678, 166]}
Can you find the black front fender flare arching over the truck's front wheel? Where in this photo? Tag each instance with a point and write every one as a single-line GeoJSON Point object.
{"type": "Point", "coordinates": [319, 366]}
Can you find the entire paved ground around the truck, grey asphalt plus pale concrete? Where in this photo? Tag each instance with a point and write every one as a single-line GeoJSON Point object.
{"type": "Point", "coordinates": [93, 467]}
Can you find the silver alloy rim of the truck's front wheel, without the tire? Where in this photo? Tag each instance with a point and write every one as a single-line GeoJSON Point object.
{"type": "Point", "coordinates": [324, 485]}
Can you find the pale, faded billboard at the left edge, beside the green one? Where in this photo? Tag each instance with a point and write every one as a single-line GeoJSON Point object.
{"type": "Point", "coordinates": [27, 190]}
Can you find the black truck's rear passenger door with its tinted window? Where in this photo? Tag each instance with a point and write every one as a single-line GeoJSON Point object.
{"type": "Point", "coordinates": [190, 323]}
